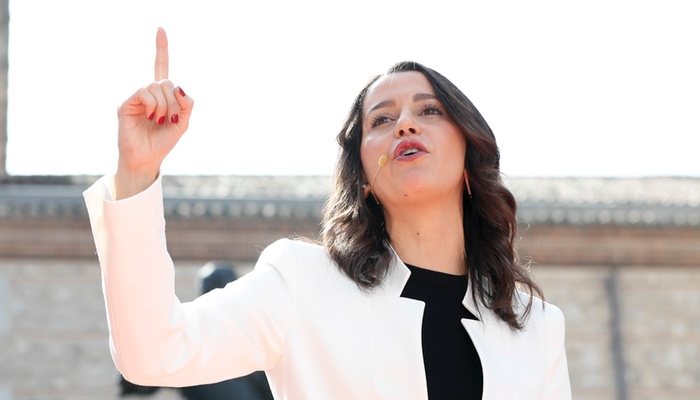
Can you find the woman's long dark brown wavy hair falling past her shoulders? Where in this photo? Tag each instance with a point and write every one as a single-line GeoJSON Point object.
{"type": "Point", "coordinates": [353, 229]}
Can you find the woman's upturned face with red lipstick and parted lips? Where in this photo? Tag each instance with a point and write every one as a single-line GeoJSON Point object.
{"type": "Point", "coordinates": [424, 149]}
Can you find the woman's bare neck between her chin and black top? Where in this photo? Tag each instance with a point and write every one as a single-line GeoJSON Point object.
{"type": "Point", "coordinates": [430, 236]}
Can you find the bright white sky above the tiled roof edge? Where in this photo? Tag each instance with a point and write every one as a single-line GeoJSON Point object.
{"type": "Point", "coordinates": [595, 88]}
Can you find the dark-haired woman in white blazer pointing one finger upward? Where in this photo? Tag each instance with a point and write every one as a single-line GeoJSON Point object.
{"type": "Point", "coordinates": [412, 294]}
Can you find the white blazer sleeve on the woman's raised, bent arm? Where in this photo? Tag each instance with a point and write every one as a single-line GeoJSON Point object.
{"type": "Point", "coordinates": [154, 338]}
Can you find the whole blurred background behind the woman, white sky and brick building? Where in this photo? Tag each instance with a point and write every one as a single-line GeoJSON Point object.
{"type": "Point", "coordinates": [594, 105]}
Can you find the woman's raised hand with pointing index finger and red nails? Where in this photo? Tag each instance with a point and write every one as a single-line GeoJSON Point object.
{"type": "Point", "coordinates": [151, 122]}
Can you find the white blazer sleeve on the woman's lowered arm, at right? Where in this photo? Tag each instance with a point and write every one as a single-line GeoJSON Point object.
{"type": "Point", "coordinates": [557, 385]}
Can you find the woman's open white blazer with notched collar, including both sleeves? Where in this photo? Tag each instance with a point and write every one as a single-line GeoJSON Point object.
{"type": "Point", "coordinates": [297, 317]}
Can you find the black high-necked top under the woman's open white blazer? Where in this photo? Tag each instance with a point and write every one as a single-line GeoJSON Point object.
{"type": "Point", "coordinates": [452, 365]}
